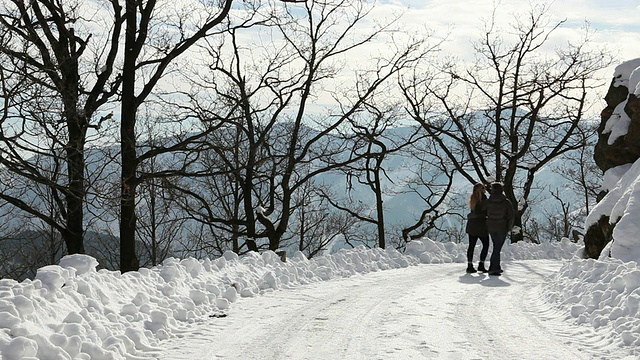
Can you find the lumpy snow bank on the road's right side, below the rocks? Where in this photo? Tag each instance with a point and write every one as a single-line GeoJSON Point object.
{"type": "Point", "coordinates": [603, 294]}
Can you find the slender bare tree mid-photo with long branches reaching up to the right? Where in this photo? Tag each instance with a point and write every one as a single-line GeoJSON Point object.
{"type": "Point", "coordinates": [301, 149]}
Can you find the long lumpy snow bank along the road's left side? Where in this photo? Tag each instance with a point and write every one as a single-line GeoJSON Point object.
{"type": "Point", "coordinates": [72, 311]}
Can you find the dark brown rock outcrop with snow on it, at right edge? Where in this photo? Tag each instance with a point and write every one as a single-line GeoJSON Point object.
{"type": "Point", "coordinates": [618, 144]}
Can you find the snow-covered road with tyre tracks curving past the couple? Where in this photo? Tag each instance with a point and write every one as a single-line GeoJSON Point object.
{"type": "Point", "coordinates": [419, 312]}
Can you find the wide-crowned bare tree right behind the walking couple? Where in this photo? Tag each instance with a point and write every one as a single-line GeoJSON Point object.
{"type": "Point", "coordinates": [522, 109]}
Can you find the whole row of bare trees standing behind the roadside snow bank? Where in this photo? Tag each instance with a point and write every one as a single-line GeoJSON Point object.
{"type": "Point", "coordinates": [137, 130]}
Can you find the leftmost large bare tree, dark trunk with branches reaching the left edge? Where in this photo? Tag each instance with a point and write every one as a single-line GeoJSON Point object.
{"type": "Point", "coordinates": [54, 79]}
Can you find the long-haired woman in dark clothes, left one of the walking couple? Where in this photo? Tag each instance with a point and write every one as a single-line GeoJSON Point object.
{"type": "Point", "coordinates": [477, 227]}
